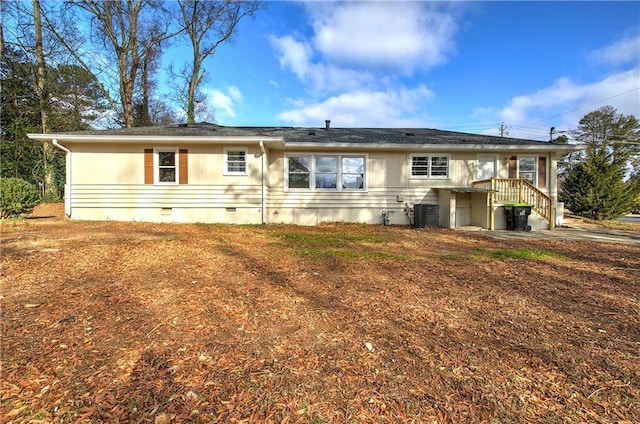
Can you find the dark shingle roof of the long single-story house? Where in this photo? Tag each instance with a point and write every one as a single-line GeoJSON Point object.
{"type": "Point", "coordinates": [295, 135]}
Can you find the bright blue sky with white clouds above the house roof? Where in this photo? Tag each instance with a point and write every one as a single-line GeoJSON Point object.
{"type": "Point", "coordinates": [462, 66]}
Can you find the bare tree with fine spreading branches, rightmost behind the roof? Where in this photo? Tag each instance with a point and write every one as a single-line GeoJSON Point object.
{"type": "Point", "coordinates": [208, 24]}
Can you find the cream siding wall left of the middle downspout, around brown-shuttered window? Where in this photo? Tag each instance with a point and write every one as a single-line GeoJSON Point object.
{"type": "Point", "coordinates": [108, 183]}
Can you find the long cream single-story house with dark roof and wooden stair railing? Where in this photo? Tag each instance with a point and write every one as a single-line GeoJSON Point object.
{"type": "Point", "coordinates": [252, 175]}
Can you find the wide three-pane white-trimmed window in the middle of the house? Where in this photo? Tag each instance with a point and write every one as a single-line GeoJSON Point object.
{"type": "Point", "coordinates": [319, 172]}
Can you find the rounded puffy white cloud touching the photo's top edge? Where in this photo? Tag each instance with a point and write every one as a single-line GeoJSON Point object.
{"type": "Point", "coordinates": [400, 37]}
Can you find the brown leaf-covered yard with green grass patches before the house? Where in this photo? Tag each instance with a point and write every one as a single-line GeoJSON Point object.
{"type": "Point", "coordinates": [160, 323]}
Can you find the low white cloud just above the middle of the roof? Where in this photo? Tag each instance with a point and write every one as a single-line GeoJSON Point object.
{"type": "Point", "coordinates": [390, 108]}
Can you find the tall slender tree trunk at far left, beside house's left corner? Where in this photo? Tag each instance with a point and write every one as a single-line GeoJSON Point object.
{"type": "Point", "coordinates": [50, 189]}
